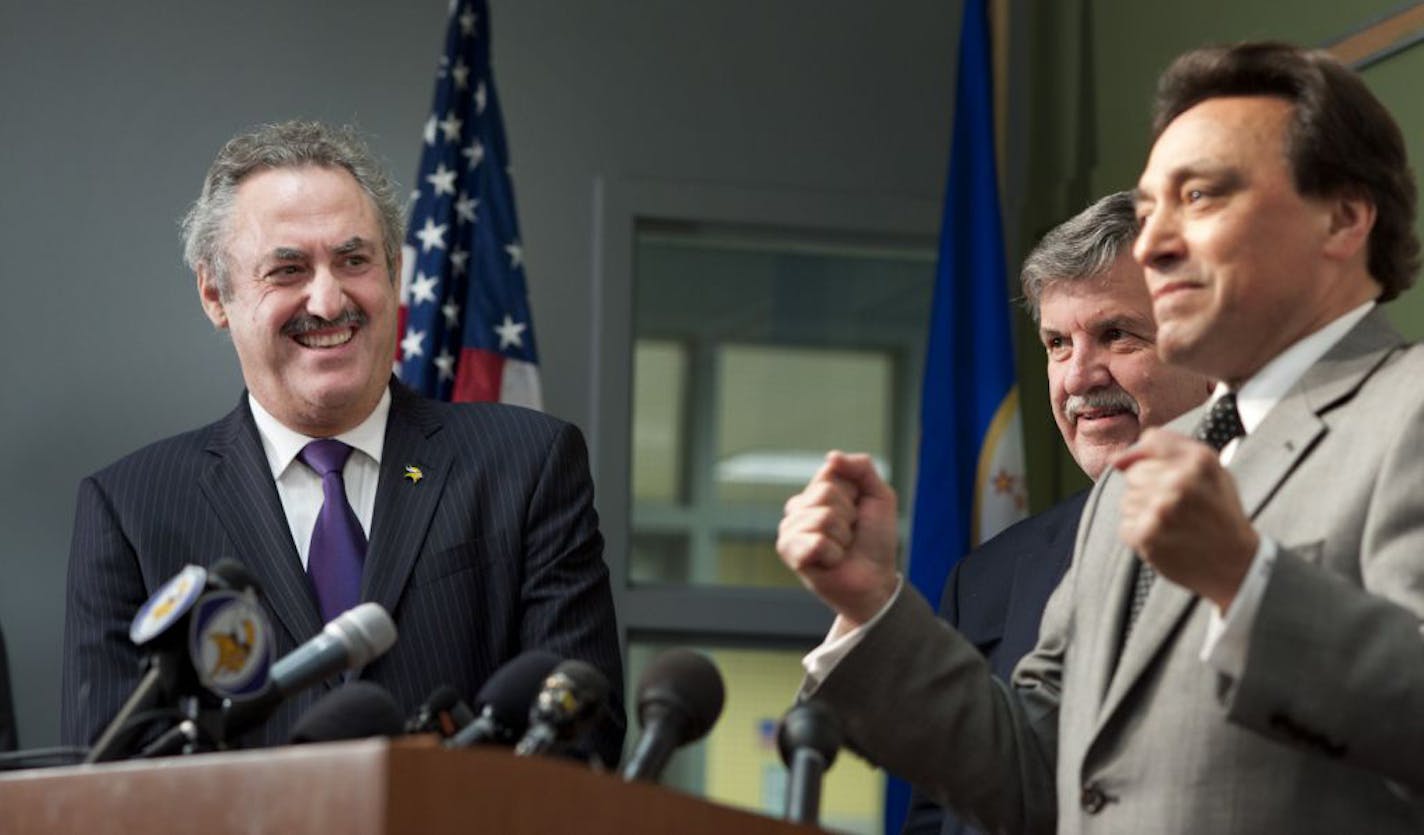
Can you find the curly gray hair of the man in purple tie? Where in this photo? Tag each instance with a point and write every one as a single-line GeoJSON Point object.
{"type": "Point", "coordinates": [290, 145]}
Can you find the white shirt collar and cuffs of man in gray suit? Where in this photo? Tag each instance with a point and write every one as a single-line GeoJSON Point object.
{"type": "Point", "coordinates": [1228, 638]}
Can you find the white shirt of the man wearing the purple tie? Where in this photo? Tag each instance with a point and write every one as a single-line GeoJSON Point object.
{"type": "Point", "coordinates": [300, 488]}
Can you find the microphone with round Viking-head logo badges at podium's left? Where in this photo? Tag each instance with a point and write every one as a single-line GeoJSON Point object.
{"type": "Point", "coordinates": [223, 598]}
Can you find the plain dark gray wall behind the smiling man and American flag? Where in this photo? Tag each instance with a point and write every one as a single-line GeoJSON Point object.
{"type": "Point", "coordinates": [113, 112]}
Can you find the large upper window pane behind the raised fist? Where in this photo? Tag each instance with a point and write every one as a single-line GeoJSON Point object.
{"type": "Point", "coordinates": [754, 354]}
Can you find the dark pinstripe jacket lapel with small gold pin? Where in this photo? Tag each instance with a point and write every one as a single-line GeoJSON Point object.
{"type": "Point", "coordinates": [405, 504]}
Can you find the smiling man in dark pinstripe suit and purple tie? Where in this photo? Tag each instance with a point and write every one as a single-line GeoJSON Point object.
{"type": "Point", "coordinates": [483, 539]}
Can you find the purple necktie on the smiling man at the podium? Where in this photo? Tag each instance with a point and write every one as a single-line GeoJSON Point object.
{"type": "Point", "coordinates": [338, 541]}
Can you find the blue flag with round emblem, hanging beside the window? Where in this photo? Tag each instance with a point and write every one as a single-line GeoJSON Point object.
{"type": "Point", "coordinates": [972, 451]}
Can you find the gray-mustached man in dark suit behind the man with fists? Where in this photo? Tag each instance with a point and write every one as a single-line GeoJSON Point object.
{"type": "Point", "coordinates": [1106, 383]}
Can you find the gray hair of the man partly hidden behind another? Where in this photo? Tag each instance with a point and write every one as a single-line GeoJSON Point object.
{"type": "Point", "coordinates": [1082, 247]}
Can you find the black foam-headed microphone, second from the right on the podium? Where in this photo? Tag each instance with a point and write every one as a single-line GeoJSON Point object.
{"type": "Point", "coordinates": [680, 699]}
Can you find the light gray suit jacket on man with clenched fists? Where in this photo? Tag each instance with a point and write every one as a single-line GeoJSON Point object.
{"type": "Point", "coordinates": [1322, 733]}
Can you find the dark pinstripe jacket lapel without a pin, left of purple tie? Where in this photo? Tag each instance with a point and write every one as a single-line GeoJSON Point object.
{"type": "Point", "coordinates": [243, 495]}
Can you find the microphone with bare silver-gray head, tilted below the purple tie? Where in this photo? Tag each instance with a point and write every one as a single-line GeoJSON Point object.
{"type": "Point", "coordinates": [352, 640]}
